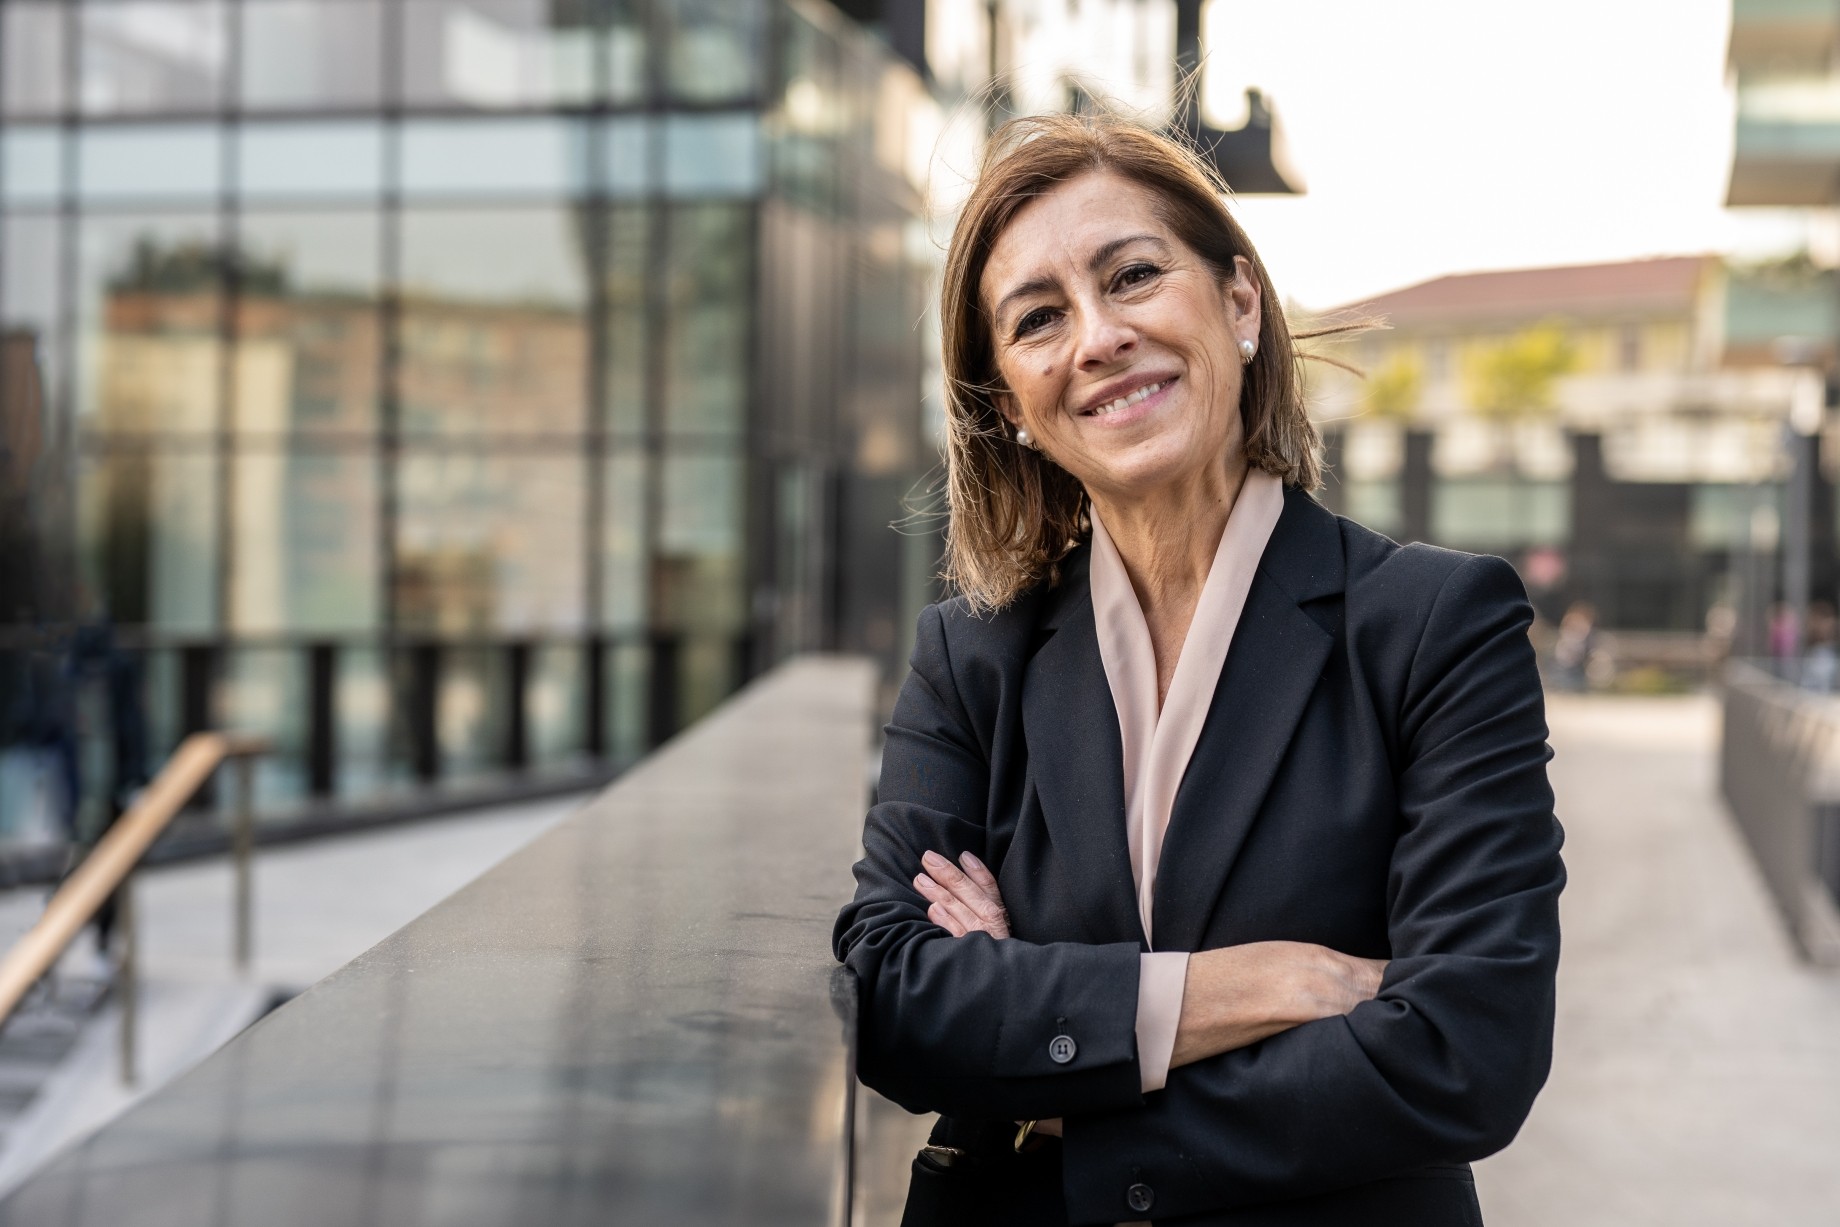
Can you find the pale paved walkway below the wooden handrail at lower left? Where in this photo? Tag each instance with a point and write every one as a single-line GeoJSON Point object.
{"type": "Point", "coordinates": [317, 906]}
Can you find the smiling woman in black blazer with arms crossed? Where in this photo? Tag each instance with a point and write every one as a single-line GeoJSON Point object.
{"type": "Point", "coordinates": [1213, 832]}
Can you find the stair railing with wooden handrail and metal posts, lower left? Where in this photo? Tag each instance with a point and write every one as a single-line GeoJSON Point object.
{"type": "Point", "coordinates": [109, 873]}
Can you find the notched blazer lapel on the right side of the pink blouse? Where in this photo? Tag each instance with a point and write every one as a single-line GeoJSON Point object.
{"type": "Point", "coordinates": [1271, 672]}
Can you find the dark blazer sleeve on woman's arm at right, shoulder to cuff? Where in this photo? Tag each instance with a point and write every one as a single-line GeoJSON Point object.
{"type": "Point", "coordinates": [1445, 1062]}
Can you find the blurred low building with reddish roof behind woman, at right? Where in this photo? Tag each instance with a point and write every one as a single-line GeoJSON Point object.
{"type": "Point", "coordinates": [1616, 430]}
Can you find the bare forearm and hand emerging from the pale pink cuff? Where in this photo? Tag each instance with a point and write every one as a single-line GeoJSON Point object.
{"type": "Point", "coordinates": [1243, 994]}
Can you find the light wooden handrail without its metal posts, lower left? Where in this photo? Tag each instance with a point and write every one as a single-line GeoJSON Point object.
{"type": "Point", "coordinates": [115, 858]}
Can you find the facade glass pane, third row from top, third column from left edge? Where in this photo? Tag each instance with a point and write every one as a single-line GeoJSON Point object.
{"type": "Point", "coordinates": [310, 339]}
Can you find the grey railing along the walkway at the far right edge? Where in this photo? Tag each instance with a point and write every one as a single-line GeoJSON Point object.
{"type": "Point", "coordinates": [1780, 772]}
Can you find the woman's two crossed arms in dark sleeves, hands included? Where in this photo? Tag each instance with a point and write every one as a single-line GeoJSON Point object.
{"type": "Point", "coordinates": [1438, 1064]}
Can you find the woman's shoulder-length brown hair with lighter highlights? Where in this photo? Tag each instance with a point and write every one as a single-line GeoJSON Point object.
{"type": "Point", "coordinates": [1013, 512]}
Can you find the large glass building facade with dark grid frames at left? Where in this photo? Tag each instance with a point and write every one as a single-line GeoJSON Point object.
{"type": "Point", "coordinates": [454, 389]}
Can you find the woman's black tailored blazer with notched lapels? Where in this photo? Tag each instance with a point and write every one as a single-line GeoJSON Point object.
{"type": "Point", "coordinates": [1372, 777]}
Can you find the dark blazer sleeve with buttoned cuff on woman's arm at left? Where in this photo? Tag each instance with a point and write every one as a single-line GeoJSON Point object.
{"type": "Point", "coordinates": [965, 1026]}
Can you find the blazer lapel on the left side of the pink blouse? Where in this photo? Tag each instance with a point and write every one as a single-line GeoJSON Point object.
{"type": "Point", "coordinates": [1077, 761]}
